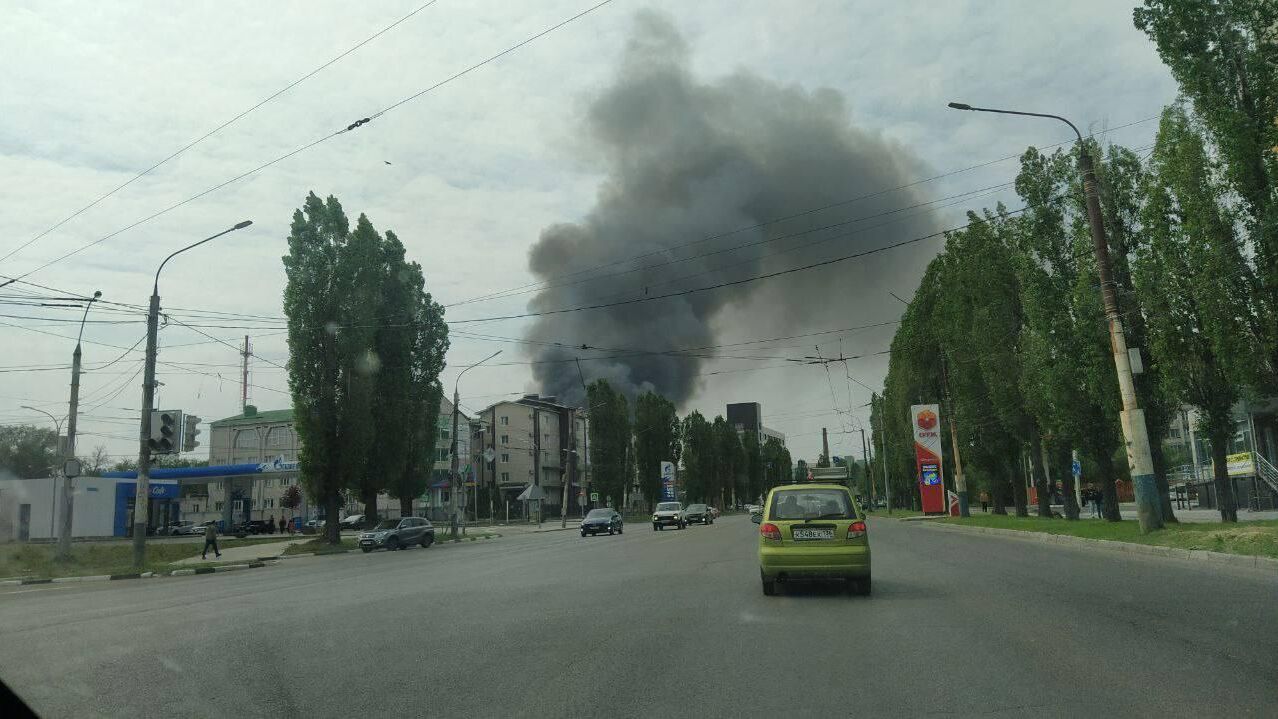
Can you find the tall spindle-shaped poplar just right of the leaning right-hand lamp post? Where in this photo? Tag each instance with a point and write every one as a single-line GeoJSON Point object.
{"type": "Point", "coordinates": [1190, 278]}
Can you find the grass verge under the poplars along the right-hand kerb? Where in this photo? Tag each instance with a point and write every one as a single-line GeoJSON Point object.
{"type": "Point", "coordinates": [1258, 538]}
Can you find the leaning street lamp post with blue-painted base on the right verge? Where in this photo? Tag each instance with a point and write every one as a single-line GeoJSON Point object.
{"type": "Point", "coordinates": [1148, 508]}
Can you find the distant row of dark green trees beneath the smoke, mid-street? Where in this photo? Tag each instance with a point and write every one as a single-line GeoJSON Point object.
{"type": "Point", "coordinates": [718, 465]}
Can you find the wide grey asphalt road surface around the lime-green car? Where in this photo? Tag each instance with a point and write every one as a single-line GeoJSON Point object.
{"type": "Point", "coordinates": [651, 624]}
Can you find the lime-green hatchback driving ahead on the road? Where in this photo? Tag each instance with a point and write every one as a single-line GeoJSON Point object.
{"type": "Point", "coordinates": [813, 532]}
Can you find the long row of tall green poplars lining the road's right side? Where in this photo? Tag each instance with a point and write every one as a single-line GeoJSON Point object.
{"type": "Point", "coordinates": [1008, 326]}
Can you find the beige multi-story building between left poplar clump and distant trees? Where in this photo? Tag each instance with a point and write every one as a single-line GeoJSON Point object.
{"type": "Point", "coordinates": [535, 441]}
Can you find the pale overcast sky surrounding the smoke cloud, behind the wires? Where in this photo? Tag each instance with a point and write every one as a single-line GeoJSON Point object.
{"type": "Point", "coordinates": [467, 174]}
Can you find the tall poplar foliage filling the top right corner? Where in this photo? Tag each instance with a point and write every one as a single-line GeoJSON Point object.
{"type": "Point", "coordinates": [1225, 57]}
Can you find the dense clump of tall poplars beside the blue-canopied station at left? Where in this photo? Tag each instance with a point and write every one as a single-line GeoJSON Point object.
{"type": "Point", "coordinates": [366, 349]}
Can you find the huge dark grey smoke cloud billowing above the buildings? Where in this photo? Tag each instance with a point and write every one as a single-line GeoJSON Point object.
{"type": "Point", "coordinates": [687, 160]}
